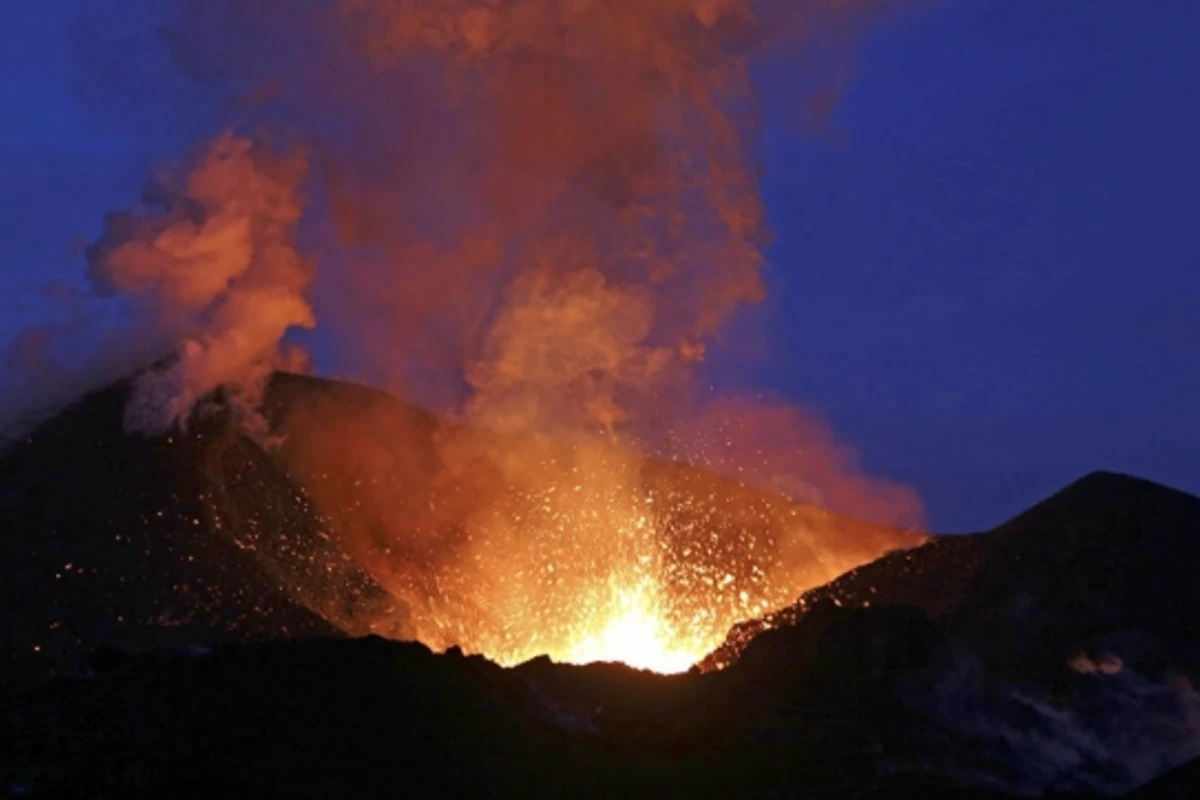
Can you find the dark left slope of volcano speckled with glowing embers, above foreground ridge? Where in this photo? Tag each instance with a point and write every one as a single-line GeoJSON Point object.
{"type": "Point", "coordinates": [109, 538]}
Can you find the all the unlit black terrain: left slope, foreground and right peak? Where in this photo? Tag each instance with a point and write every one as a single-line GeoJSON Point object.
{"type": "Point", "coordinates": [1053, 657]}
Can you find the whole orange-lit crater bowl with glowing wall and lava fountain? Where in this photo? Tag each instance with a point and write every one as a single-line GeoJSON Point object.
{"type": "Point", "coordinates": [583, 552]}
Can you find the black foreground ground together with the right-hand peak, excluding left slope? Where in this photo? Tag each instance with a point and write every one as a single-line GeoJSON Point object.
{"type": "Point", "coordinates": [843, 695]}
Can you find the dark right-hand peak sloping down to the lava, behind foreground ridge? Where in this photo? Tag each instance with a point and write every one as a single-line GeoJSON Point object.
{"type": "Point", "coordinates": [1108, 564]}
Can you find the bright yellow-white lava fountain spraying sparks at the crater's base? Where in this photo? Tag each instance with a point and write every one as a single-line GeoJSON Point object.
{"type": "Point", "coordinates": [593, 585]}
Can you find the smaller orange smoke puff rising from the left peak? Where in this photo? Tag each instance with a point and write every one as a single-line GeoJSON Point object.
{"type": "Point", "coordinates": [212, 255]}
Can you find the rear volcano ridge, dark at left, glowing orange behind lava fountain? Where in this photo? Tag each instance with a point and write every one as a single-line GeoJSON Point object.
{"type": "Point", "coordinates": [352, 522]}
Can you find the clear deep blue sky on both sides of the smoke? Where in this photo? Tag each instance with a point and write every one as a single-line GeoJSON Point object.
{"type": "Point", "coordinates": [985, 269]}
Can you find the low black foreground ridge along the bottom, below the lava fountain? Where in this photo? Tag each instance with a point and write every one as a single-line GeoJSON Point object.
{"type": "Point", "coordinates": [863, 703]}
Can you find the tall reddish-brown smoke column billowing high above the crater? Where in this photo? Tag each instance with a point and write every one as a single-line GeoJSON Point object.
{"type": "Point", "coordinates": [502, 177]}
